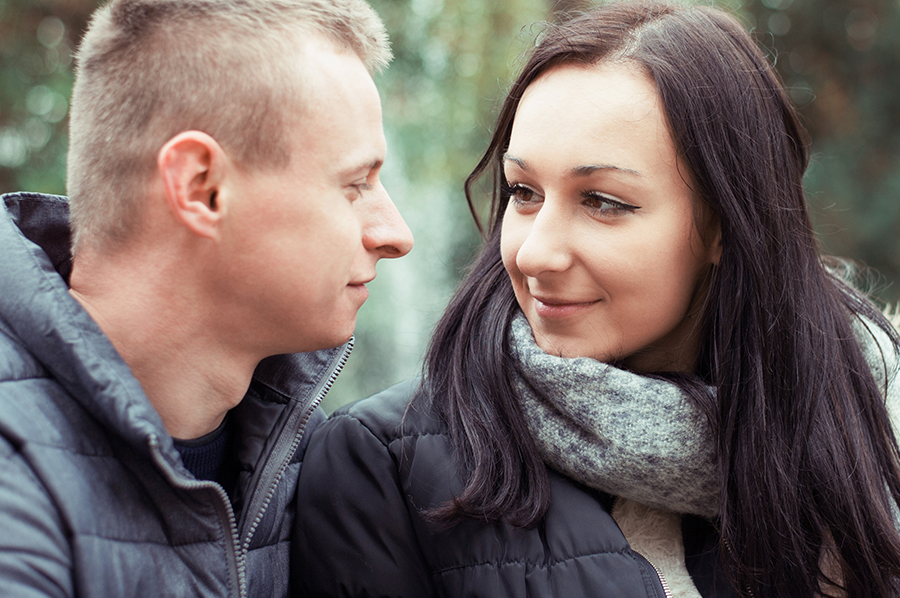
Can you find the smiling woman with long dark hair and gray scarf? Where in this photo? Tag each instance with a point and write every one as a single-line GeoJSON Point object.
{"type": "Point", "coordinates": [649, 330]}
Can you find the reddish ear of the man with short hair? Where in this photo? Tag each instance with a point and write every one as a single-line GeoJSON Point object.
{"type": "Point", "coordinates": [192, 165]}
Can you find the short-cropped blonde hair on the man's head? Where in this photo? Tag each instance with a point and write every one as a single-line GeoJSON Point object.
{"type": "Point", "coordinates": [150, 69]}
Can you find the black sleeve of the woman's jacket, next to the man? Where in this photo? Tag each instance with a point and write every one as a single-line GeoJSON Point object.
{"type": "Point", "coordinates": [353, 535]}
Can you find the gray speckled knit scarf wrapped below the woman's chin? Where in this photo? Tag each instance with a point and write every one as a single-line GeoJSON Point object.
{"type": "Point", "coordinates": [616, 431]}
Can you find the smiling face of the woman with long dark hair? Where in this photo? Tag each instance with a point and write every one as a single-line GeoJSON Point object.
{"type": "Point", "coordinates": [600, 237]}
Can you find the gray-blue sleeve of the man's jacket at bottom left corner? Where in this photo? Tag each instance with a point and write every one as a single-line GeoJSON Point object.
{"type": "Point", "coordinates": [35, 556]}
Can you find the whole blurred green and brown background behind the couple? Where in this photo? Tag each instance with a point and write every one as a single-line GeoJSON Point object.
{"type": "Point", "coordinates": [454, 59]}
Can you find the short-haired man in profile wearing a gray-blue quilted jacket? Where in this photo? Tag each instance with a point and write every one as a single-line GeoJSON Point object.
{"type": "Point", "coordinates": [226, 210]}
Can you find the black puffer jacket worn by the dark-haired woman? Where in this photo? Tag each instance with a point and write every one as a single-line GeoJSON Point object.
{"type": "Point", "coordinates": [365, 479]}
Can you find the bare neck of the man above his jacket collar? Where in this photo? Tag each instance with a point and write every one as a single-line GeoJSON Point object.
{"type": "Point", "coordinates": [169, 337]}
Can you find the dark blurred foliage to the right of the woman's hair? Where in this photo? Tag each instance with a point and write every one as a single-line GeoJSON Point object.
{"type": "Point", "coordinates": [841, 62]}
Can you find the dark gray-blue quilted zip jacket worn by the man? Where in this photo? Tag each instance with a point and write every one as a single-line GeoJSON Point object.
{"type": "Point", "coordinates": [94, 500]}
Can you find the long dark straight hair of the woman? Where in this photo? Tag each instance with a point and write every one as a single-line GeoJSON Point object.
{"type": "Point", "coordinates": [806, 453]}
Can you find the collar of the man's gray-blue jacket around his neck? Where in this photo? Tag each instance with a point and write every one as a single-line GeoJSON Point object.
{"type": "Point", "coordinates": [36, 306]}
